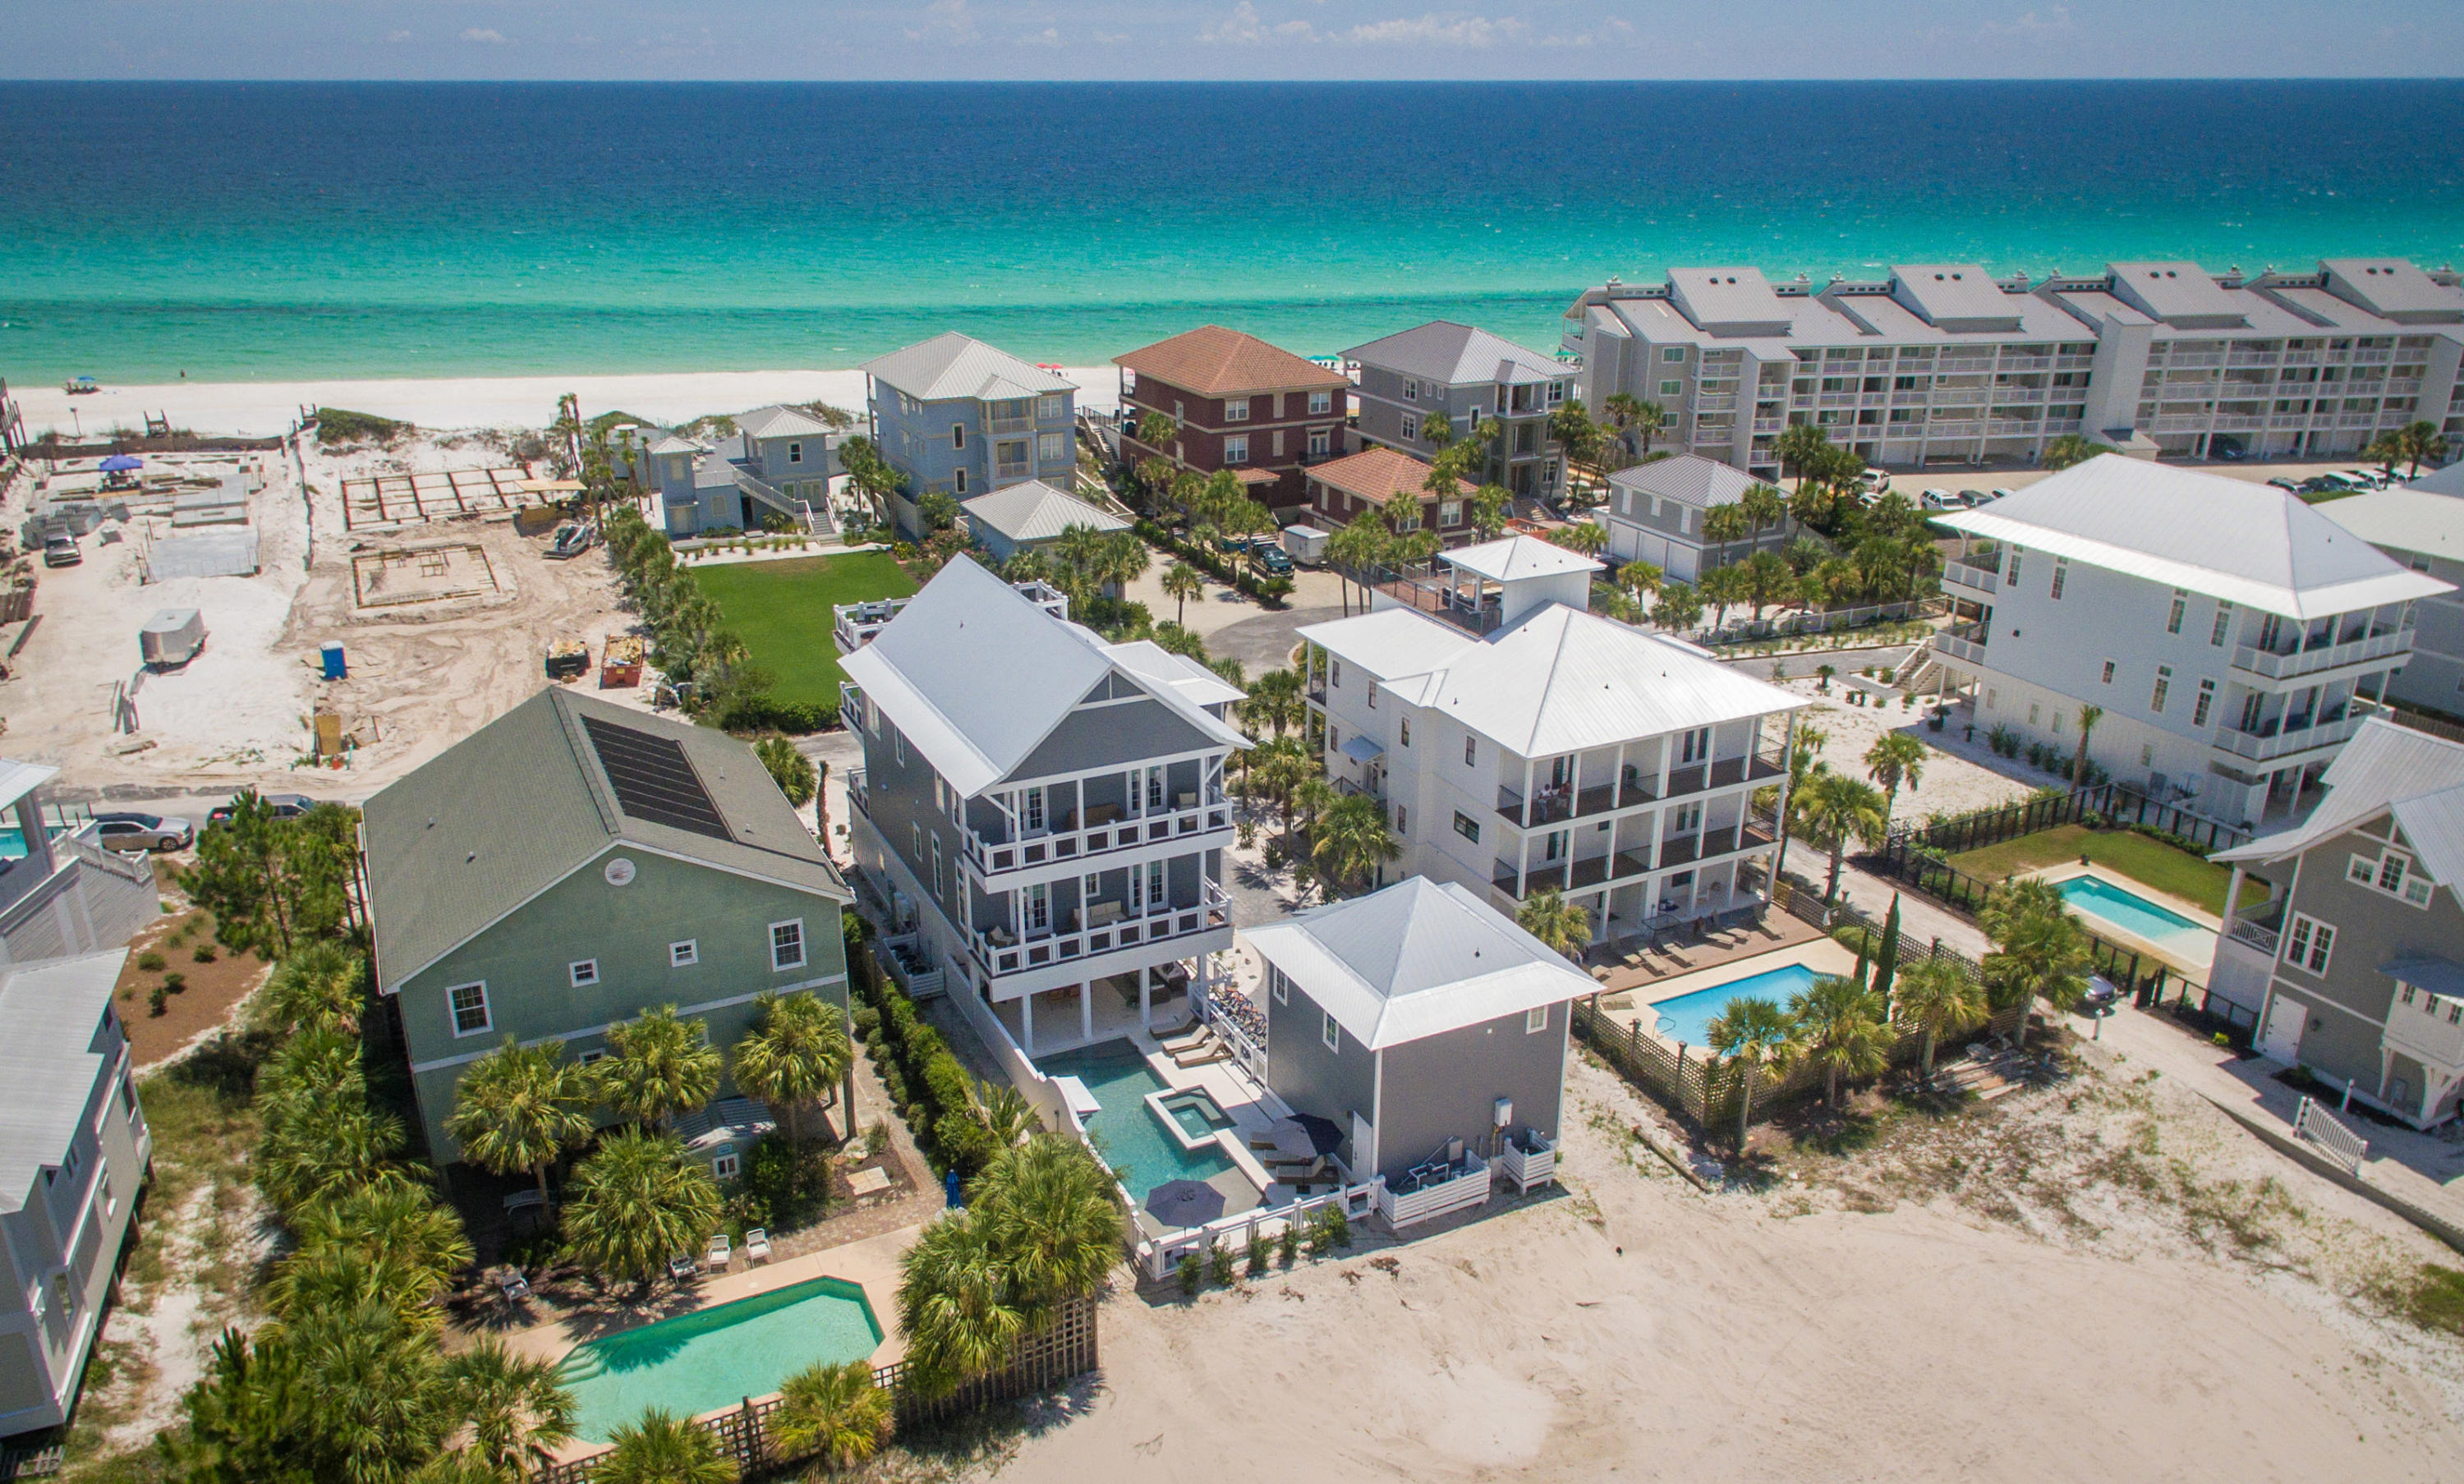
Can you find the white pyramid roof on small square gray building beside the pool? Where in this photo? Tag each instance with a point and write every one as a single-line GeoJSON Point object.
{"type": "Point", "coordinates": [1416, 960]}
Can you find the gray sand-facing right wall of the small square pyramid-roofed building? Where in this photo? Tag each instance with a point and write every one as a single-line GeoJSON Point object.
{"type": "Point", "coordinates": [1448, 1088]}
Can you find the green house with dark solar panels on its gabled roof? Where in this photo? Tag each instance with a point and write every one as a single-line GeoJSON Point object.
{"type": "Point", "coordinates": [575, 864]}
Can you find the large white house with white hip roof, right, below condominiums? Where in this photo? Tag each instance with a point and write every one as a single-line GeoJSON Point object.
{"type": "Point", "coordinates": [2229, 635]}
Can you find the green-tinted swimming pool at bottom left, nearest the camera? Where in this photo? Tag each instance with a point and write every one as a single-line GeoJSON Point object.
{"type": "Point", "coordinates": [718, 1357]}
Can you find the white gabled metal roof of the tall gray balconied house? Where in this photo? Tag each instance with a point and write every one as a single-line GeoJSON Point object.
{"type": "Point", "coordinates": [977, 677]}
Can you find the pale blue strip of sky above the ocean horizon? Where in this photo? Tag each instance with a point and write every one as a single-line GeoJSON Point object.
{"type": "Point", "coordinates": [1226, 38]}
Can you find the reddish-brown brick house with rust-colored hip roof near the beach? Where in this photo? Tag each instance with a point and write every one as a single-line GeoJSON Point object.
{"type": "Point", "coordinates": [1236, 403]}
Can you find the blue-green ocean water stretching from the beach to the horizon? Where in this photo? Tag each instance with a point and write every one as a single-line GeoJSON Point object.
{"type": "Point", "coordinates": [287, 230]}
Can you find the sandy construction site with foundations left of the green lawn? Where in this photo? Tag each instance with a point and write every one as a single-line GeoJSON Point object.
{"type": "Point", "coordinates": [292, 618]}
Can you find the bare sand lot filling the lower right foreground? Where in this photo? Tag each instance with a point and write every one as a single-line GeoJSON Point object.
{"type": "Point", "coordinates": [2034, 1325]}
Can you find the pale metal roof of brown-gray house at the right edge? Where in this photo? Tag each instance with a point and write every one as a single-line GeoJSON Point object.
{"type": "Point", "coordinates": [2384, 768]}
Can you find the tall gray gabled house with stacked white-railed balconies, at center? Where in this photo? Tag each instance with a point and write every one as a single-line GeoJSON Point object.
{"type": "Point", "coordinates": [1044, 812]}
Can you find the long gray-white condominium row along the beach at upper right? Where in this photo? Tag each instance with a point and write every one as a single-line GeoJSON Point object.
{"type": "Point", "coordinates": [1945, 364]}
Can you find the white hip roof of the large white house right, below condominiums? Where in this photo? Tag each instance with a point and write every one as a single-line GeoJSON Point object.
{"type": "Point", "coordinates": [2229, 539]}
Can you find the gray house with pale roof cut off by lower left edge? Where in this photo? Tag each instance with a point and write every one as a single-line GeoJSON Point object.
{"type": "Point", "coordinates": [73, 1162]}
